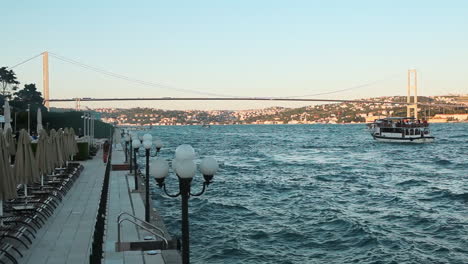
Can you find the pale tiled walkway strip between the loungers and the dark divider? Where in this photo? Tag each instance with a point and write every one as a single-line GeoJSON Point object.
{"type": "Point", "coordinates": [66, 237]}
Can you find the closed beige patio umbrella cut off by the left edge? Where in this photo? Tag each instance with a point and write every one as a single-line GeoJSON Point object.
{"type": "Point", "coordinates": [7, 182]}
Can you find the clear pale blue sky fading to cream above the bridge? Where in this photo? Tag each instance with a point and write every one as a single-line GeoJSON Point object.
{"type": "Point", "coordinates": [252, 48]}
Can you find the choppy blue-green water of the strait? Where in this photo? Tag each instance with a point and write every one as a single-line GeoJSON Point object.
{"type": "Point", "coordinates": [324, 194]}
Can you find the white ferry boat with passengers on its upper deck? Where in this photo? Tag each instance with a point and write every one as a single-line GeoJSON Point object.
{"type": "Point", "coordinates": [400, 129]}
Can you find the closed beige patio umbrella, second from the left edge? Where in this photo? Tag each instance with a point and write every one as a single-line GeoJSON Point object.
{"type": "Point", "coordinates": [26, 170]}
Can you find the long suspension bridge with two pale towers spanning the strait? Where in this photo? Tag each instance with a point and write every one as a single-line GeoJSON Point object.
{"type": "Point", "coordinates": [411, 102]}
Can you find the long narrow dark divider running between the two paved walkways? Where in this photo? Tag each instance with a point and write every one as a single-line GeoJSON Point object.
{"type": "Point", "coordinates": [96, 254]}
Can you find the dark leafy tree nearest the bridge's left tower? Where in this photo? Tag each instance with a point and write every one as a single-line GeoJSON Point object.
{"type": "Point", "coordinates": [28, 95]}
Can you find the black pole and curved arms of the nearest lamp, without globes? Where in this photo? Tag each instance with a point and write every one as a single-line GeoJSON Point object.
{"type": "Point", "coordinates": [184, 192]}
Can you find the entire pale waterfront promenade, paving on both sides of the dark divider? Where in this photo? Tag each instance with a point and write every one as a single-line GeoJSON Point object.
{"type": "Point", "coordinates": [67, 235]}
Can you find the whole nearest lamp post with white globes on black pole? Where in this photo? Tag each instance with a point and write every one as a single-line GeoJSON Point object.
{"type": "Point", "coordinates": [185, 169]}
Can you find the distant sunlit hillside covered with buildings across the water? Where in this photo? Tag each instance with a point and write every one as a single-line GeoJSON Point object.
{"type": "Point", "coordinates": [326, 113]}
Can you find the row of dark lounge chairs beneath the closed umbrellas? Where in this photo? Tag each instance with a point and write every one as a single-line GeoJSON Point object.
{"type": "Point", "coordinates": [24, 216]}
